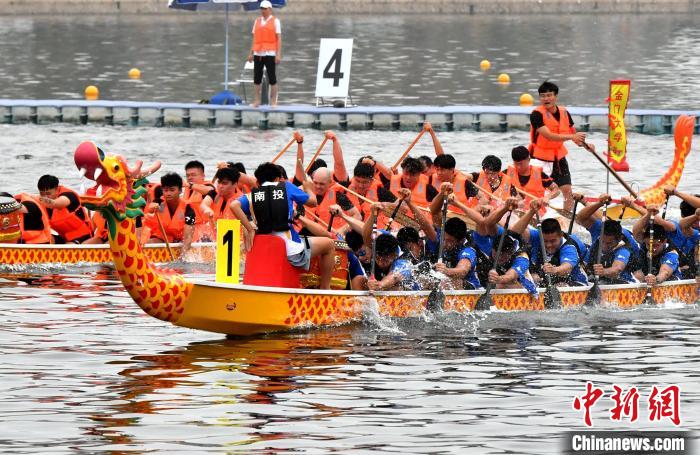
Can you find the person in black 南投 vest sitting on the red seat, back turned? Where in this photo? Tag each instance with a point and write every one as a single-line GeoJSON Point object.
{"type": "Point", "coordinates": [271, 206]}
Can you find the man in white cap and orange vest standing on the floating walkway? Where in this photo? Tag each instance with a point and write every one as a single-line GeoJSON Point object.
{"type": "Point", "coordinates": [266, 51]}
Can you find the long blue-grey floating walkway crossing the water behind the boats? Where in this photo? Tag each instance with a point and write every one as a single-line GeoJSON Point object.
{"type": "Point", "coordinates": [447, 118]}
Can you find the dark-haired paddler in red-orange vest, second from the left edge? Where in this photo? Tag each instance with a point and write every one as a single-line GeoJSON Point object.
{"type": "Point", "coordinates": [66, 214]}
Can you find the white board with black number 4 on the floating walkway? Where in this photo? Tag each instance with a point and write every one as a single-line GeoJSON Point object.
{"type": "Point", "coordinates": [333, 74]}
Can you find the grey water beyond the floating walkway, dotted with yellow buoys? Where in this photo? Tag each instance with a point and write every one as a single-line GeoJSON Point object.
{"type": "Point", "coordinates": [397, 60]}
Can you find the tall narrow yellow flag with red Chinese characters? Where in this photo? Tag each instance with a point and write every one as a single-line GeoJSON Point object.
{"type": "Point", "coordinates": [617, 136]}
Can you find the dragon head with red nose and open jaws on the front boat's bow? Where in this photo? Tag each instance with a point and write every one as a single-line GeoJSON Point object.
{"type": "Point", "coordinates": [118, 191]}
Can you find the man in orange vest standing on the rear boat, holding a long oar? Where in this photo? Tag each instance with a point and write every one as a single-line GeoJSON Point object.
{"type": "Point", "coordinates": [550, 126]}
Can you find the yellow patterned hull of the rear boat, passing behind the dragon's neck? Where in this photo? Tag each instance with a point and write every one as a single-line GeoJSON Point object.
{"type": "Point", "coordinates": [15, 254]}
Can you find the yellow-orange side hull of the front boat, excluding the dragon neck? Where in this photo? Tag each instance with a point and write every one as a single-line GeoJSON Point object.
{"type": "Point", "coordinates": [249, 310]}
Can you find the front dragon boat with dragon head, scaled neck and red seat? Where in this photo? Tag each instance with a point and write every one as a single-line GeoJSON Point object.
{"type": "Point", "coordinates": [270, 298]}
